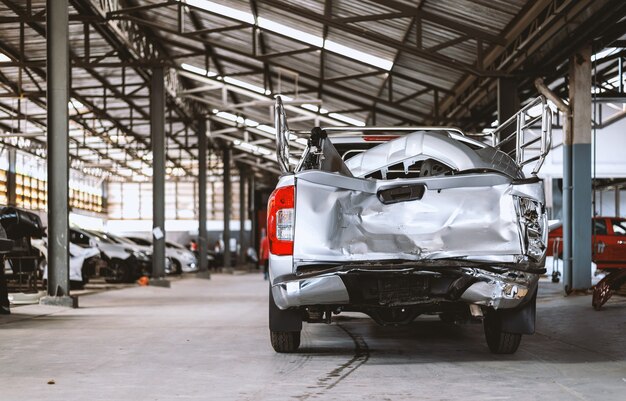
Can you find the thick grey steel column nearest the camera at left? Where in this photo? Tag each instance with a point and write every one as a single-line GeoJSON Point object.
{"type": "Point", "coordinates": [57, 38]}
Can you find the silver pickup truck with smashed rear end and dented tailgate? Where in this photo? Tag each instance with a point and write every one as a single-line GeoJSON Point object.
{"type": "Point", "coordinates": [399, 222]}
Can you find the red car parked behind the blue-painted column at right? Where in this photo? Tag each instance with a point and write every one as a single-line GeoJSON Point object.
{"type": "Point", "coordinates": [609, 242]}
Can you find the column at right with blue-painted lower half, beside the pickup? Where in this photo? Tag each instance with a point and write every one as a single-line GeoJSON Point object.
{"type": "Point", "coordinates": [577, 183]}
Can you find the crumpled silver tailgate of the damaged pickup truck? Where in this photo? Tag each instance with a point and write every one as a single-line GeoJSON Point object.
{"type": "Point", "coordinates": [336, 224]}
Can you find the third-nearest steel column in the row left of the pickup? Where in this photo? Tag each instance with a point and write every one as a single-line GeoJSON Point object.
{"type": "Point", "coordinates": [202, 173]}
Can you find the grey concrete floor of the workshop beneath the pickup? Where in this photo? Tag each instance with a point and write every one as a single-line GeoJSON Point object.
{"type": "Point", "coordinates": [208, 340]}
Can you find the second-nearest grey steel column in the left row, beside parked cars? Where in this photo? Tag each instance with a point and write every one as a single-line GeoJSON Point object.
{"type": "Point", "coordinates": [157, 132]}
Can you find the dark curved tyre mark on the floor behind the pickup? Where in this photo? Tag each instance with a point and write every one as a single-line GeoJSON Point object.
{"type": "Point", "coordinates": [334, 377]}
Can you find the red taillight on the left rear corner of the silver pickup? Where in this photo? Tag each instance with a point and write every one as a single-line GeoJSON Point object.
{"type": "Point", "coordinates": [280, 219]}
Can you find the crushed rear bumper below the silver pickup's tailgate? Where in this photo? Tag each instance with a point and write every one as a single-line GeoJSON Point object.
{"type": "Point", "coordinates": [502, 290]}
